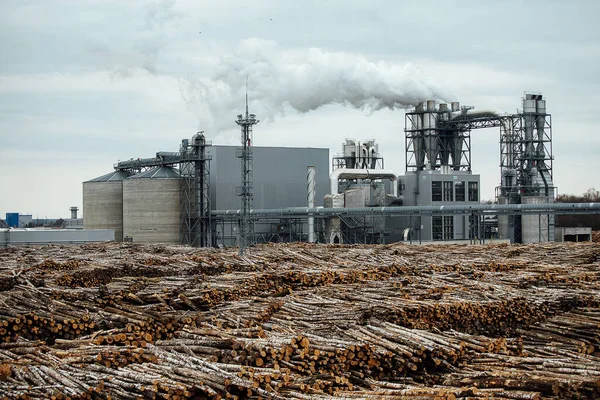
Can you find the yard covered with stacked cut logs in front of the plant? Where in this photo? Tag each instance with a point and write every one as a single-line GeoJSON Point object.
{"type": "Point", "coordinates": [300, 321]}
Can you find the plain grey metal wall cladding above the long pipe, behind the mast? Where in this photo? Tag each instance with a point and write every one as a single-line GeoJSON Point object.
{"type": "Point", "coordinates": [279, 176]}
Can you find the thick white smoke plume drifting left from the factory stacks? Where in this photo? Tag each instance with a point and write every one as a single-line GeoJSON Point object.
{"type": "Point", "coordinates": [303, 80]}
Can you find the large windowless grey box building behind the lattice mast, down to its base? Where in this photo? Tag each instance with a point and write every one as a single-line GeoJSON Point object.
{"type": "Point", "coordinates": [279, 181]}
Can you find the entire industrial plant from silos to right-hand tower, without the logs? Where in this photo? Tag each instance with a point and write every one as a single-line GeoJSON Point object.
{"type": "Point", "coordinates": [205, 195]}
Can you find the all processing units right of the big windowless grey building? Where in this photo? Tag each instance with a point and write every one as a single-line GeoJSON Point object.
{"type": "Point", "coordinates": [438, 172]}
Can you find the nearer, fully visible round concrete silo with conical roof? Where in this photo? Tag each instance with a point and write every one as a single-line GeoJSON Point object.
{"type": "Point", "coordinates": [151, 206]}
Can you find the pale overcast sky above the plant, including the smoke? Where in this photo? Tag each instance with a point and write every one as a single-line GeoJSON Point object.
{"type": "Point", "coordinates": [85, 83]}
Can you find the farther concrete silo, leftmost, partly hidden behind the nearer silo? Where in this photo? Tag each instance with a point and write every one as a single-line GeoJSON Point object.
{"type": "Point", "coordinates": [103, 203]}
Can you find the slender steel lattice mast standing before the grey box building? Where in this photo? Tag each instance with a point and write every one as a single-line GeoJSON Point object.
{"type": "Point", "coordinates": [246, 222]}
